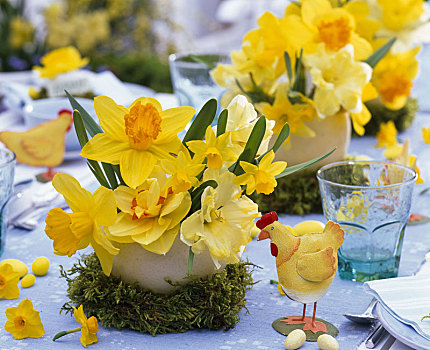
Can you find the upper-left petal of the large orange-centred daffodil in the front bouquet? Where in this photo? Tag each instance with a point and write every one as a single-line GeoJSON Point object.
{"type": "Point", "coordinates": [111, 117]}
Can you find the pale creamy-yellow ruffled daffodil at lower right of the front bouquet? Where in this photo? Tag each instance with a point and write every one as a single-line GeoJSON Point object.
{"type": "Point", "coordinates": [224, 223]}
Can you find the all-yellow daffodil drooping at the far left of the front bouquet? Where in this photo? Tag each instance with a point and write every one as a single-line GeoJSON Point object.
{"type": "Point", "coordinates": [83, 227]}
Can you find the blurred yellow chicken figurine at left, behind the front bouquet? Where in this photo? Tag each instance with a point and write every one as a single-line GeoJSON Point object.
{"type": "Point", "coordinates": [42, 145]}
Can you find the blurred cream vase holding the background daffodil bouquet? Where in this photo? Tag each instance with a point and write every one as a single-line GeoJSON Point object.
{"type": "Point", "coordinates": [331, 132]}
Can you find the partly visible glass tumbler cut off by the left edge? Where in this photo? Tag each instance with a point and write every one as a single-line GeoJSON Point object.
{"type": "Point", "coordinates": [7, 172]}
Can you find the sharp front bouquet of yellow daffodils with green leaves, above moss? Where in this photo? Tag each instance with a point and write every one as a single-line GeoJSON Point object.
{"type": "Point", "coordinates": [155, 187]}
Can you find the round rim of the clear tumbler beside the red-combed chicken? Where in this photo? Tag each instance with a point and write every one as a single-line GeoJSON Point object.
{"type": "Point", "coordinates": [410, 180]}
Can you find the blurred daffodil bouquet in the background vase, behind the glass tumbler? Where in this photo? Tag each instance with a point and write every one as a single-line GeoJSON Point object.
{"type": "Point", "coordinates": [317, 61]}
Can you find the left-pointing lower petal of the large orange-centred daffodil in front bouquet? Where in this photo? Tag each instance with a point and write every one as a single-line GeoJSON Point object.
{"type": "Point", "coordinates": [105, 149]}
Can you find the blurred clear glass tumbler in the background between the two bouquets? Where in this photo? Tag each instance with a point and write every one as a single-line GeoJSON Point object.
{"type": "Point", "coordinates": [191, 79]}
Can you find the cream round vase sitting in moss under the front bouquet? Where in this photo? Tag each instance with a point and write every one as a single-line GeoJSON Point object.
{"type": "Point", "coordinates": [136, 264]}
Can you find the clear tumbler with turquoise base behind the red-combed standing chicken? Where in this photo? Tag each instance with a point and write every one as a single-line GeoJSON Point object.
{"type": "Point", "coordinates": [371, 202]}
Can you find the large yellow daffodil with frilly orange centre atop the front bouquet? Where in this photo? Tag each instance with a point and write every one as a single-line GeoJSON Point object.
{"type": "Point", "coordinates": [137, 137]}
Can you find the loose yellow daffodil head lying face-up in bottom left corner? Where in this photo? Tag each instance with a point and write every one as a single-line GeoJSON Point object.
{"type": "Point", "coordinates": [23, 321]}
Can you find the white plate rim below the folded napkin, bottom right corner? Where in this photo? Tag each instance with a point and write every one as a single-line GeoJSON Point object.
{"type": "Point", "coordinates": [404, 333]}
